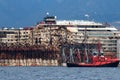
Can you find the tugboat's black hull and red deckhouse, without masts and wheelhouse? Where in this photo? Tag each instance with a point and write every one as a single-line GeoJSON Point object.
{"type": "Point", "coordinates": [97, 62]}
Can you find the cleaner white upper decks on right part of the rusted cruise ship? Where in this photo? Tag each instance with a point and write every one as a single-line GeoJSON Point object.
{"type": "Point", "coordinates": [107, 34]}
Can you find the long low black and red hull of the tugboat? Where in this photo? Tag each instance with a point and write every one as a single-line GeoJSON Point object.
{"type": "Point", "coordinates": [98, 64]}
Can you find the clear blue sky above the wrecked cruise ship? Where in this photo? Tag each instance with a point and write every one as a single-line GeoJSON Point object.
{"type": "Point", "coordinates": [25, 13]}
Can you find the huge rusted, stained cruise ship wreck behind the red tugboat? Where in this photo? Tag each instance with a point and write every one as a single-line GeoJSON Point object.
{"type": "Point", "coordinates": [31, 46]}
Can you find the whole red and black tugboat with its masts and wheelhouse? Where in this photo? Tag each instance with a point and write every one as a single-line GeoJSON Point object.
{"type": "Point", "coordinates": [97, 59]}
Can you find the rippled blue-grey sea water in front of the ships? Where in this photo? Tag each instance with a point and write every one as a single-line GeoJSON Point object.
{"type": "Point", "coordinates": [58, 73]}
